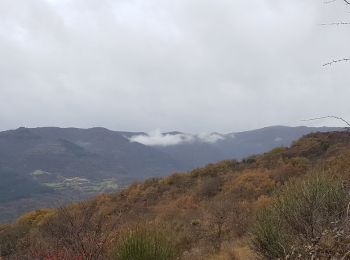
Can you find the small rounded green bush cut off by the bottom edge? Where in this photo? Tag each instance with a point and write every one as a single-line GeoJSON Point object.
{"type": "Point", "coordinates": [145, 244]}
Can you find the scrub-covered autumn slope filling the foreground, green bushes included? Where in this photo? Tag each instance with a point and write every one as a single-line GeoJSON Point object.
{"type": "Point", "coordinates": [288, 203]}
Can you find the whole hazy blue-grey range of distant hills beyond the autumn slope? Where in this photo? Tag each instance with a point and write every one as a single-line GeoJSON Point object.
{"type": "Point", "coordinates": [41, 166]}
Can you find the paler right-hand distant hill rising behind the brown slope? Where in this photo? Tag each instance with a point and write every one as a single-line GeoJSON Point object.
{"type": "Point", "coordinates": [237, 145]}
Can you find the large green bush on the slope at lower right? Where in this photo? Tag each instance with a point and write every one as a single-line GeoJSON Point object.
{"type": "Point", "coordinates": [302, 211]}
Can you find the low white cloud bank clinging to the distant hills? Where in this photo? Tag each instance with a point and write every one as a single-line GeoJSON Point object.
{"type": "Point", "coordinates": [156, 138]}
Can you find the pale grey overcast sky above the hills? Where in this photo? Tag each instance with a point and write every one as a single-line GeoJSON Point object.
{"type": "Point", "coordinates": [188, 65]}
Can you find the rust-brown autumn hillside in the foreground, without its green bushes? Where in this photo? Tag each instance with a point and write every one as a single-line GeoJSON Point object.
{"type": "Point", "coordinates": [208, 212]}
